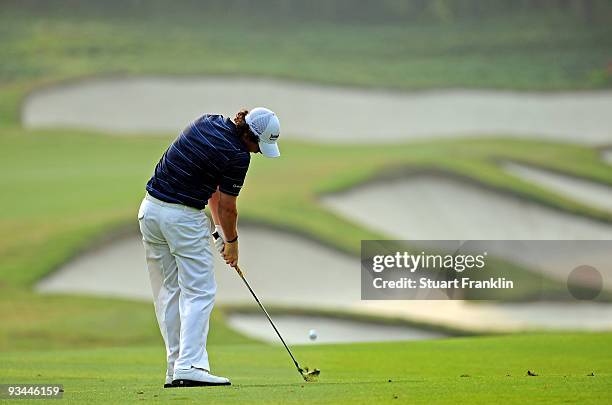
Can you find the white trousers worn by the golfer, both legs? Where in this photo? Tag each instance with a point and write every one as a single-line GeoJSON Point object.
{"type": "Point", "coordinates": [179, 258]}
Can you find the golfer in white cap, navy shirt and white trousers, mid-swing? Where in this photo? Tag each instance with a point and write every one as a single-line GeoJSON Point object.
{"type": "Point", "coordinates": [205, 165]}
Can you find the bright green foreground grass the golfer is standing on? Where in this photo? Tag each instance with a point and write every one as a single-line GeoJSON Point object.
{"type": "Point", "coordinates": [460, 370]}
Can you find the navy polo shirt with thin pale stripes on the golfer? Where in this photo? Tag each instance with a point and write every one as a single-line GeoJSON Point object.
{"type": "Point", "coordinates": [206, 155]}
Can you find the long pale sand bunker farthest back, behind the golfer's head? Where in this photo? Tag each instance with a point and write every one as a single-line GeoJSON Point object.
{"type": "Point", "coordinates": [313, 112]}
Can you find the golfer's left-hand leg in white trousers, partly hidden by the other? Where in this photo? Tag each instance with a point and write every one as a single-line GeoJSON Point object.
{"type": "Point", "coordinates": [163, 273]}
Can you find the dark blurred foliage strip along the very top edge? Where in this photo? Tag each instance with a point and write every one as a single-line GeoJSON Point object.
{"type": "Point", "coordinates": [338, 11]}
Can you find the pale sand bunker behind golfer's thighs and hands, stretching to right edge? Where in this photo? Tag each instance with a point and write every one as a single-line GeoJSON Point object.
{"type": "Point", "coordinates": [321, 278]}
